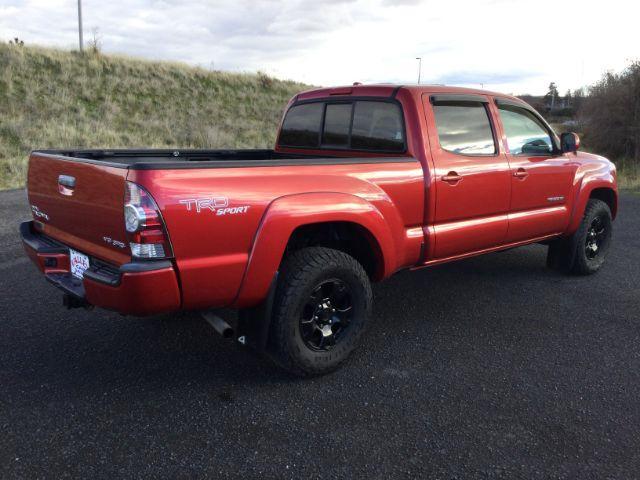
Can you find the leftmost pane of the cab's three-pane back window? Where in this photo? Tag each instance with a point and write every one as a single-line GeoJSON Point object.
{"type": "Point", "coordinates": [301, 126]}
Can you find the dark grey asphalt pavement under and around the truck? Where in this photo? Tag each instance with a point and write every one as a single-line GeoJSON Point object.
{"type": "Point", "coordinates": [492, 367]}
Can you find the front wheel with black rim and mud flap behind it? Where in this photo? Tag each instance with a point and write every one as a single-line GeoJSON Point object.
{"type": "Point", "coordinates": [585, 251]}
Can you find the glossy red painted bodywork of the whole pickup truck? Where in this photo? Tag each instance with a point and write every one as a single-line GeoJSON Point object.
{"type": "Point", "coordinates": [437, 208]}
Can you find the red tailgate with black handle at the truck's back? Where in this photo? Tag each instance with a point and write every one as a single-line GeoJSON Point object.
{"type": "Point", "coordinates": [80, 204]}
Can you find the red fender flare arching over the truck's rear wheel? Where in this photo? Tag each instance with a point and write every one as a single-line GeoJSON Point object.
{"type": "Point", "coordinates": [285, 214]}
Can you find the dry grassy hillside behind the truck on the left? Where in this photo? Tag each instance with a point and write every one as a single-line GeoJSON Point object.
{"type": "Point", "coordinates": [58, 99]}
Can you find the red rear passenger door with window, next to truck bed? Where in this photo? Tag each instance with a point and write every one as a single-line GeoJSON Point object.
{"type": "Point", "coordinates": [473, 180]}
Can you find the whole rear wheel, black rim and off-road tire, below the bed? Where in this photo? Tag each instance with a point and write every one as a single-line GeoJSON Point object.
{"type": "Point", "coordinates": [322, 305]}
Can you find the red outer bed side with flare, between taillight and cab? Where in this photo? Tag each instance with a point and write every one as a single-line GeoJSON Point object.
{"type": "Point", "coordinates": [306, 194]}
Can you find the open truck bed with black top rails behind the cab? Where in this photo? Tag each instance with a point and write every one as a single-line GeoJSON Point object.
{"type": "Point", "coordinates": [157, 159]}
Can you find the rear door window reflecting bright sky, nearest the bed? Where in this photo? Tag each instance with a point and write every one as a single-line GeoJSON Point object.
{"type": "Point", "coordinates": [464, 128]}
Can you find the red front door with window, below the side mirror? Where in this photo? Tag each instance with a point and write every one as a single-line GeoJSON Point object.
{"type": "Point", "coordinates": [541, 176]}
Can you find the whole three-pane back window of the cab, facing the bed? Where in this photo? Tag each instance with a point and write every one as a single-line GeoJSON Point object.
{"type": "Point", "coordinates": [360, 125]}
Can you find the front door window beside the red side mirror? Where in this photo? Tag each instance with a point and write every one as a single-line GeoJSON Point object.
{"type": "Point", "coordinates": [526, 134]}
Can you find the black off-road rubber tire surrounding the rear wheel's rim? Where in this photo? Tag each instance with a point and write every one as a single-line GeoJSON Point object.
{"type": "Point", "coordinates": [302, 271]}
